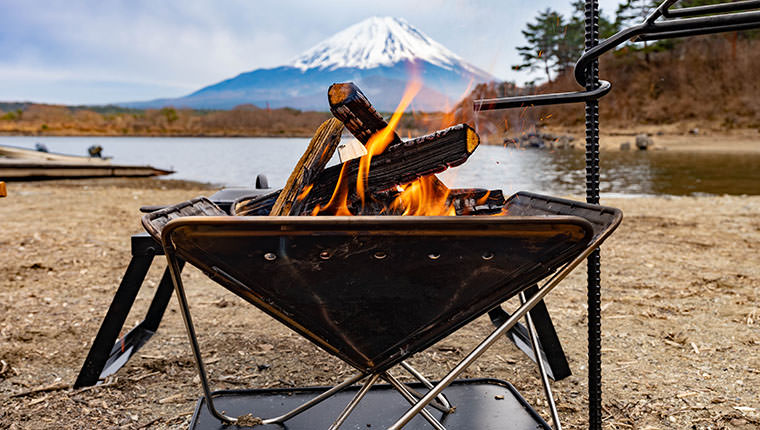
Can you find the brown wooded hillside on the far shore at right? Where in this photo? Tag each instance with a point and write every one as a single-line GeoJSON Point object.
{"type": "Point", "coordinates": [709, 81]}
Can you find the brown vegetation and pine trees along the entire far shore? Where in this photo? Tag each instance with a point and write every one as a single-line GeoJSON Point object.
{"type": "Point", "coordinates": [710, 80]}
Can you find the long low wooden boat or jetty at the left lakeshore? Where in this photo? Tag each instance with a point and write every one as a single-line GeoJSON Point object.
{"type": "Point", "coordinates": [28, 164]}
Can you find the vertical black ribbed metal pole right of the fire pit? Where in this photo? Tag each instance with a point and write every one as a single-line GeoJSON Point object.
{"type": "Point", "coordinates": [592, 196]}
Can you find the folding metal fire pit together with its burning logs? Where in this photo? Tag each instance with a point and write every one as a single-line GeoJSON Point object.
{"type": "Point", "coordinates": [375, 290]}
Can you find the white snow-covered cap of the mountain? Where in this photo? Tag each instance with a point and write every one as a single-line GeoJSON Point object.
{"type": "Point", "coordinates": [378, 41]}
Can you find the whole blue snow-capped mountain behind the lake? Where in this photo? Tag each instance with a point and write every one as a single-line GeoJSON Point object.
{"type": "Point", "coordinates": [379, 54]}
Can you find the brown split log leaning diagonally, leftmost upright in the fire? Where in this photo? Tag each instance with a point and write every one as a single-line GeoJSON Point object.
{"type": "Point", "coordinates": [309, 167]}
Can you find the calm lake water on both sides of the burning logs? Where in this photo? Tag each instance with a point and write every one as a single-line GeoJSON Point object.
{"type": "Point", "coordinates": [237, 161]}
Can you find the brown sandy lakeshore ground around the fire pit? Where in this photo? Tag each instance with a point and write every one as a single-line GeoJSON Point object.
{"type": "Point", "coordinates": [681, 318]}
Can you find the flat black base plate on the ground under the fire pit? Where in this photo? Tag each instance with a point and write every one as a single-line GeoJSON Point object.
{"type": "Point", "coordinates": [484, 404]}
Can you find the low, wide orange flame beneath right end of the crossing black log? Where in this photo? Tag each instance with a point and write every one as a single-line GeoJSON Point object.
{"type": "Point", "coordinates": [425, 196]}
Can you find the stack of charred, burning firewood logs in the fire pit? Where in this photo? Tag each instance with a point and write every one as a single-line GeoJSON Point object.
{"type": "Point", "coordinates": [313, 189]}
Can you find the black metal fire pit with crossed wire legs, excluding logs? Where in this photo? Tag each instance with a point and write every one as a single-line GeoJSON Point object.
{"type": "Point", "coordinates": [373, 291]}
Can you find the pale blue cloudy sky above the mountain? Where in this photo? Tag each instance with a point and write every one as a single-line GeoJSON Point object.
{"type": "Point", "coordinates": [99, 52]}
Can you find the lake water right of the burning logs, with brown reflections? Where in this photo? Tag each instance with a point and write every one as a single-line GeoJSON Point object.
{"type": "Point", "coordinates": [622, 173]}
